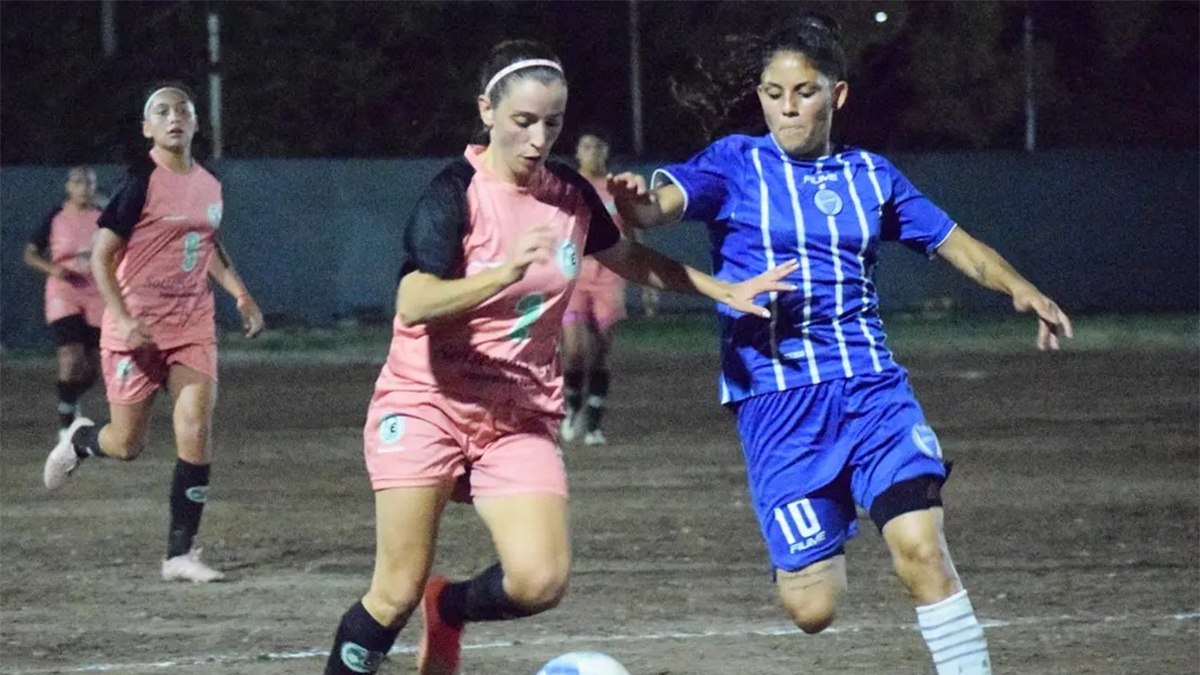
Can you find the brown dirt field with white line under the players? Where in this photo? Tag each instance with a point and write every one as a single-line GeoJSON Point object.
{"type": "Point", "coordinates": [1073, 516]}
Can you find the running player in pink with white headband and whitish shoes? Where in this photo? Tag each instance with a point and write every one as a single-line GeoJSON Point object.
{"type": "Point", "coordinates": [157, 249]}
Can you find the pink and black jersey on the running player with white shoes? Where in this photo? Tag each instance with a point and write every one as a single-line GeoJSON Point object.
{"type": "Point", "coordinates": [169, 223]}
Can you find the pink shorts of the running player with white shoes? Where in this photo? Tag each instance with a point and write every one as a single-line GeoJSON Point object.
{"type": "Point", "coordinates": [134, 377]}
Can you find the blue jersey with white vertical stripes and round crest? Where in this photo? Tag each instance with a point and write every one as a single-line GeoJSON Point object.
{"type": "Point", "coordinates": [765, 208]}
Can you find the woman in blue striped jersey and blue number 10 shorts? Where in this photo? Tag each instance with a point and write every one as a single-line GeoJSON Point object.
{"type": "Point", "coordinates": [826, 416]}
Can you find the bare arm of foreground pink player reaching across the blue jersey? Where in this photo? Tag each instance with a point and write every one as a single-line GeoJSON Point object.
{"type": "Point", "coordinates": [643, 265]}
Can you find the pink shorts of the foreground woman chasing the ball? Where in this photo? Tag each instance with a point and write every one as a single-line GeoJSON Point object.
{"type": "Point", "coordinates": [411, 441]}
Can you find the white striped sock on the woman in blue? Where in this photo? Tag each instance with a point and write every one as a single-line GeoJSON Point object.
{"type": "Point", "coordinates": [955, 637]}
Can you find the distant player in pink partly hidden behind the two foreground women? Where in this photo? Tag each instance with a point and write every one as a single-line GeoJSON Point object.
{"type": "Point", "coordinates": [597, 304]}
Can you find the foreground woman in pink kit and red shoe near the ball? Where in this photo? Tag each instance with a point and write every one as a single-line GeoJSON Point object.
{"type": "Point", "coordinates": [471, 398]}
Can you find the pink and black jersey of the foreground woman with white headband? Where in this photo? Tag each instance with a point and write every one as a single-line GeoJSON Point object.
{"type": "Point", "coordinates": [505, 353]}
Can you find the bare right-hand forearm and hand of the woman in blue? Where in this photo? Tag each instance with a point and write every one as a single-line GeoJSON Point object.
{"type": "Point", "coordinates": [988, 268]}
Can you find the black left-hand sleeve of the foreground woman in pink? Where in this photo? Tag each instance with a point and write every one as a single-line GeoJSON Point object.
{"type": "Point", "coordinates": [433, 238]}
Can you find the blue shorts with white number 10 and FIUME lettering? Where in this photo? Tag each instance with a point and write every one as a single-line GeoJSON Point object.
{"type": "Point", "coordinates": [815, 452]}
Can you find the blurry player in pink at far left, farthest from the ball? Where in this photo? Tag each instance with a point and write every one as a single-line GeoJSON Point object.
{"type": "Point", "coordinates": [62, 249]}
